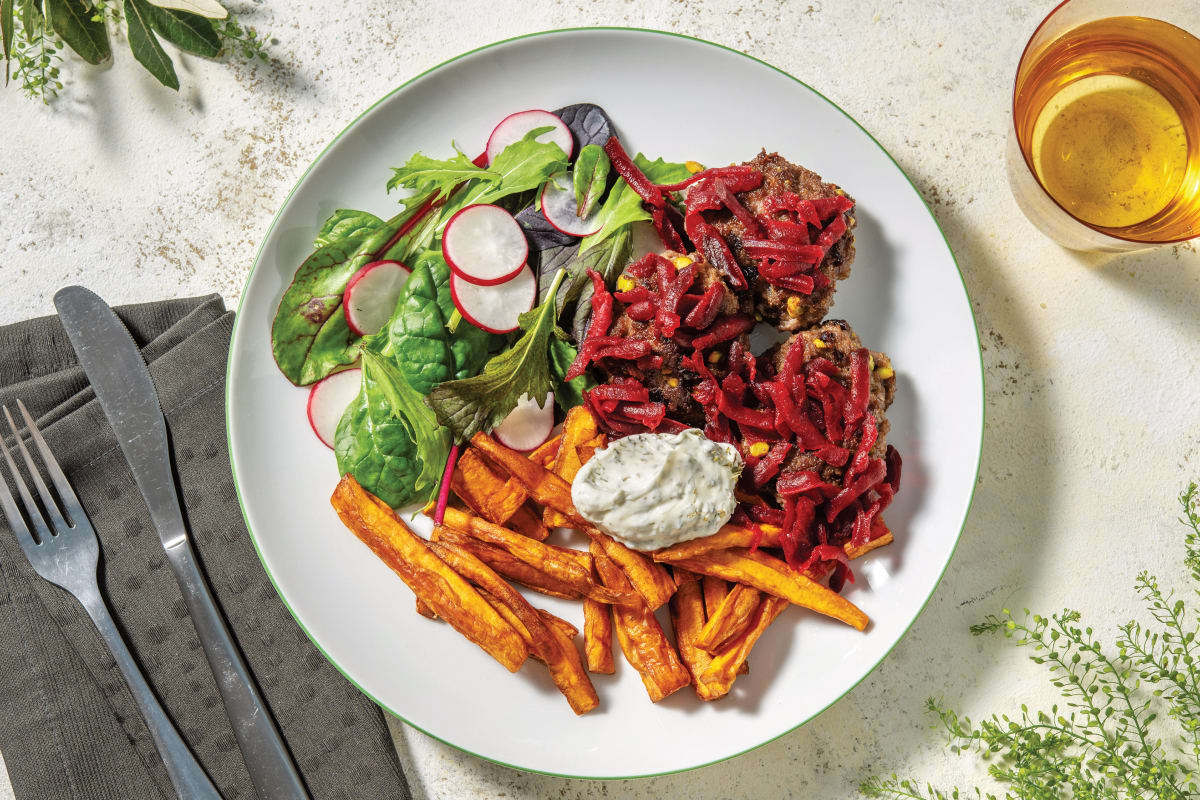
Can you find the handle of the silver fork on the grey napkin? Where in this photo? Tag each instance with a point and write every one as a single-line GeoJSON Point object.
{"type": "Point", "coordinates": [187, 774]}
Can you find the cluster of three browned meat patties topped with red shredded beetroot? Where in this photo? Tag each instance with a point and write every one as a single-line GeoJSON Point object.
{"type": "Point", "coordinates": [809, 416]}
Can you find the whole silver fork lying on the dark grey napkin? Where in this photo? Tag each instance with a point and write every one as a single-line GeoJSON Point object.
{"type": "Point", "coordinates": [67, 555]}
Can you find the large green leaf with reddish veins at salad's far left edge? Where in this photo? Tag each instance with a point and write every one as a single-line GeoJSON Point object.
{"type": "Point", "coordinates": [310, 338]}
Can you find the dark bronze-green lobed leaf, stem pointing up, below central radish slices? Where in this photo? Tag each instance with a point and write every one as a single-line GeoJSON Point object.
{"type": "Point", "coordinates": [479, 404]}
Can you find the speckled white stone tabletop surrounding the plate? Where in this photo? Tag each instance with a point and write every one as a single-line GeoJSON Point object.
{"type": "Point", "coordinates": [1093, 363]}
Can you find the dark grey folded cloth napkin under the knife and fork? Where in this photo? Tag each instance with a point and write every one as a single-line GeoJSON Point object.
{"type": "Point", "coordinates": [70, 730]}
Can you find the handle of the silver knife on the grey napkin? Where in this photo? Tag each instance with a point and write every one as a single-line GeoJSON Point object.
{"type": "Point", "coordinates": [272, 769]}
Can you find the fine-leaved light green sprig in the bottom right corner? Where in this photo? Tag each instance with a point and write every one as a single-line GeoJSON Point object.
{"type": "Point", "coordinates": [1103, 741]}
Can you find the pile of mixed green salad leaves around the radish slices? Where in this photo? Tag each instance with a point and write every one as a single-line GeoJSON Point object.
{"type": "Point", "coordinates": [430, 378]}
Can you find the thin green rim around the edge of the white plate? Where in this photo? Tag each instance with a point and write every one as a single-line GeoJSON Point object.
{"type": "Point", "coordinates": [259, 256]}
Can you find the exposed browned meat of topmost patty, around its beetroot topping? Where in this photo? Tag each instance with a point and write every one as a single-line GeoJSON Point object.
{"type": "Point", "coordinates": [772, 303]}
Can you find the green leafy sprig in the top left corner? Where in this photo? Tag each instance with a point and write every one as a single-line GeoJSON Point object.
{"type": "Point", "coordinates": [37, 32]}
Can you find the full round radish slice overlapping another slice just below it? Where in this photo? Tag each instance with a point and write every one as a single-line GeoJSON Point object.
{"type": "Point", "coordinates": [484, 245]}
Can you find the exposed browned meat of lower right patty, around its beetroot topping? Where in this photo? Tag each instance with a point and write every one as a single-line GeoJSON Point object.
{"type": "Point", "coordinates": [835, 340]}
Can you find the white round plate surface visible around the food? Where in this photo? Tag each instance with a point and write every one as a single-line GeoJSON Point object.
{"type": "Point", "coordinates": [680, 99]}
